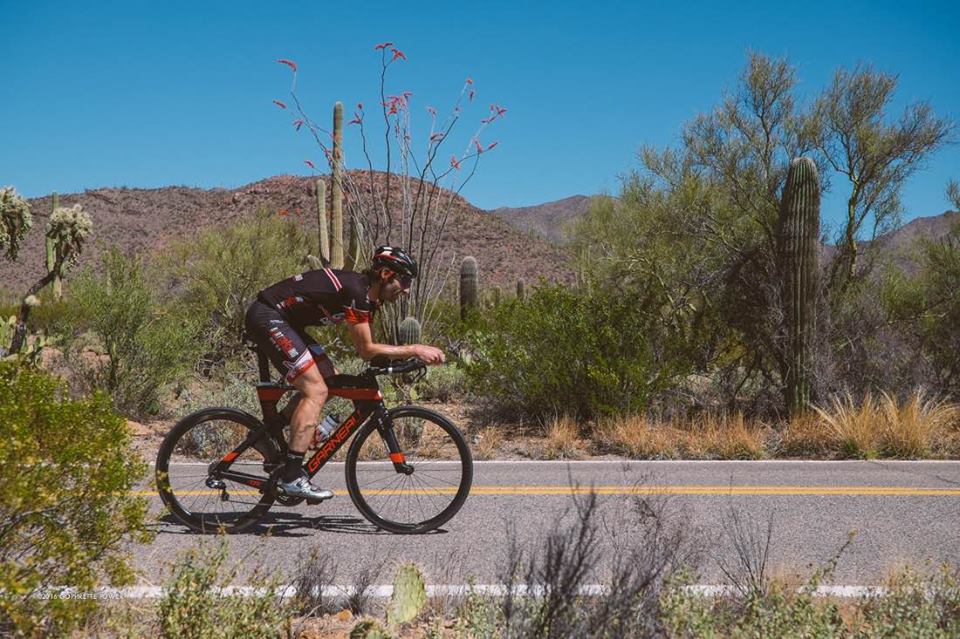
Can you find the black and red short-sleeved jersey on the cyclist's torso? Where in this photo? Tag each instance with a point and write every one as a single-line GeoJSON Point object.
{"type": "Point", "coordinates": [321, 297]}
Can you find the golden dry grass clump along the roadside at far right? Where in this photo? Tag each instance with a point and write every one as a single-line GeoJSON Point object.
{"type": "Point", "coordinates": [884, 427]}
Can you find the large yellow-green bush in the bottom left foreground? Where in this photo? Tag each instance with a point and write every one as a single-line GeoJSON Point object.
{"type": "Point", "coordinates": [65, 472]}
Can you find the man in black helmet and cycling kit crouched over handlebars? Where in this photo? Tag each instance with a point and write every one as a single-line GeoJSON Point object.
{"type": "Point", "coordinates": [275, 321]}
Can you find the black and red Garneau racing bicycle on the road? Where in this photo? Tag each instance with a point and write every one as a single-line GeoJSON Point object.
{"type": "Point", "coordinates": [217, 468]}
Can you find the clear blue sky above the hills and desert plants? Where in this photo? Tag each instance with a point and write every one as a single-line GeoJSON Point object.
{"type": "Point", "coordinates": [147, 94]}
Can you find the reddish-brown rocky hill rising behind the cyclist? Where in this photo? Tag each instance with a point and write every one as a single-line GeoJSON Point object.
{"type": "Point", "coordinates": [145, 220]}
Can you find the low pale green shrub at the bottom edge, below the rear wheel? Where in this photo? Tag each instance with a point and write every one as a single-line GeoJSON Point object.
{"type": "Point", "coordinates": [194, 605]}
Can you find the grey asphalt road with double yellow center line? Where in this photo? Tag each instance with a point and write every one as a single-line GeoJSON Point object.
{"type": "Point", "coordinates": [902, 512]}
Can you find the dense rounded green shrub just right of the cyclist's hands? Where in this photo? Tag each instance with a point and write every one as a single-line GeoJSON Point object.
{"type": "Point", "coordinates": [583, 354]}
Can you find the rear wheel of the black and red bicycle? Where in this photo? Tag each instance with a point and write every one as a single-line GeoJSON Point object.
{"type": "Point", "coordinates": [198, 440]}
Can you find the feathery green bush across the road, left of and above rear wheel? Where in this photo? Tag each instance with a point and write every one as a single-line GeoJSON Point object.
{"type": "Point", "coordinates": [148, 344]}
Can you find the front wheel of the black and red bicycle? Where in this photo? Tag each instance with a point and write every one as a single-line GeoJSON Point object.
{"type": "Point", "coordinates": [424, 499]}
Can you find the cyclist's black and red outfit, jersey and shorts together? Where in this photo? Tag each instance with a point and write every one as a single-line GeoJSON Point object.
{"type": "Point", "coordinates": [275, 321]}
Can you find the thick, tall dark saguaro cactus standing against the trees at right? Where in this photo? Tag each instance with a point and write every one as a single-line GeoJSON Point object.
{"type": "Point", "coordinates": [797, 234]}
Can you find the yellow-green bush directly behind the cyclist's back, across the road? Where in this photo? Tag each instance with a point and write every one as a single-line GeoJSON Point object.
{"type": "Point", "coordinates": [219, 272]}
